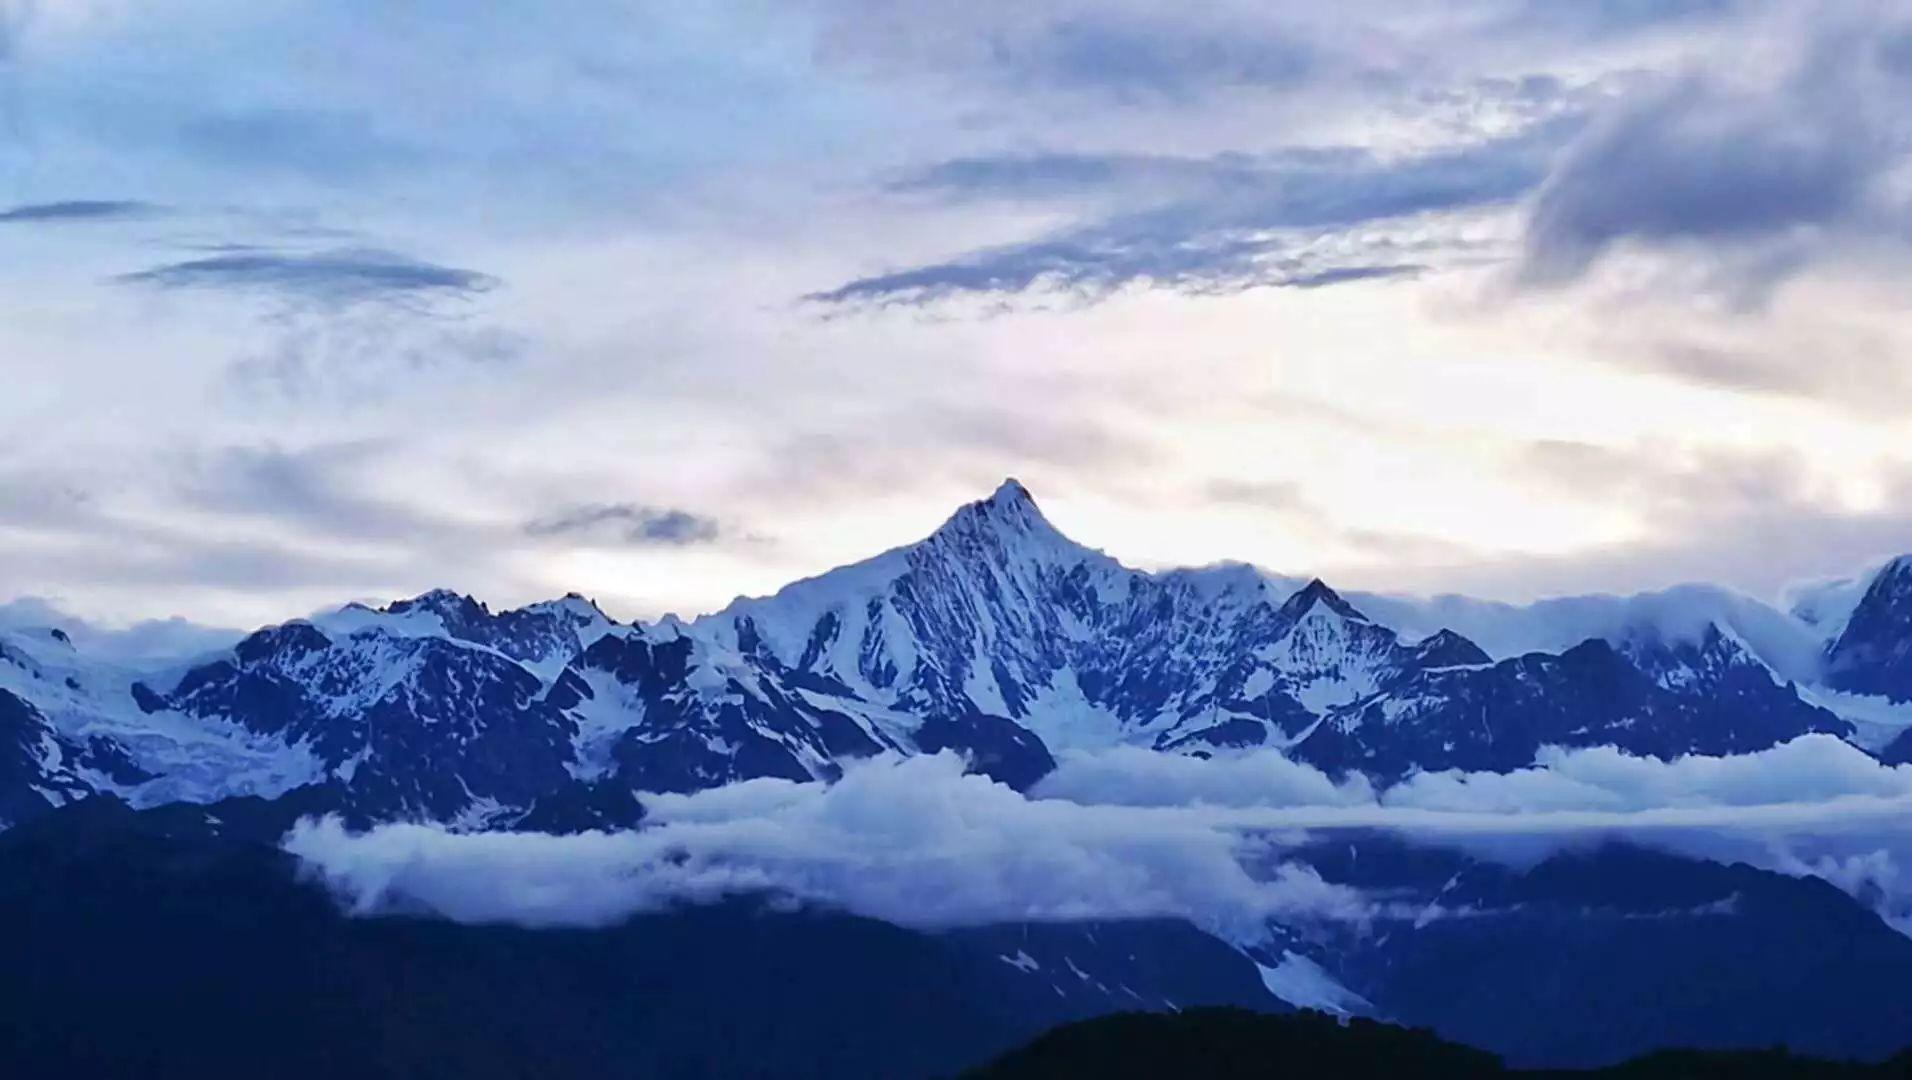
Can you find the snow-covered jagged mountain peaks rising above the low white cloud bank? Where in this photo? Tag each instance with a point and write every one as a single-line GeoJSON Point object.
{"type": "Point", "coordinates": [995, 637]}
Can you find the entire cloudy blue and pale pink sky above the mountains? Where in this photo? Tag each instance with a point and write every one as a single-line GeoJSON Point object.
{"type": "Point", "coordinates": [670, 303]}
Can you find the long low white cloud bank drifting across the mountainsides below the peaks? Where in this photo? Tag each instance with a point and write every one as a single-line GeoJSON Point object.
{"type": "Point", "coordinates": [1131, 834]}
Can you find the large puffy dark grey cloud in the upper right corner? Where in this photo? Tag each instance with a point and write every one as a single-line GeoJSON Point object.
{"type": "Point", "coordinates": [1758, 177]}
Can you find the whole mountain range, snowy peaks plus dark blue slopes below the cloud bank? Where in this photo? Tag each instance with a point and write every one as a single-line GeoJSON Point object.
{"type": "Point", "coordinates": [146, 804]}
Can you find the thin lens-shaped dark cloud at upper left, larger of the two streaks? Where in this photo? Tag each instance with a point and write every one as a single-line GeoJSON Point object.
{"type": "Point", "coordinates": [334, 278]}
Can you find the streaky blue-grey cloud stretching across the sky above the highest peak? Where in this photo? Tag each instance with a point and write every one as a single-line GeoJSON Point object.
{"type": "Point", "coordinates": [1234, 221]}
